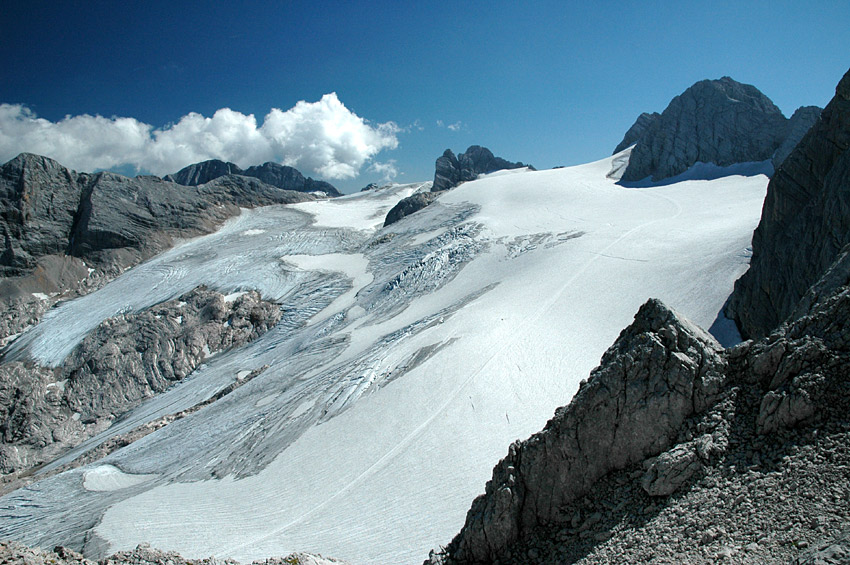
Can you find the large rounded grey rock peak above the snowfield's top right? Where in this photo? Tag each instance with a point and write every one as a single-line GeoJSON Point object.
{"type": "Point", "coordinates": [714, 121]}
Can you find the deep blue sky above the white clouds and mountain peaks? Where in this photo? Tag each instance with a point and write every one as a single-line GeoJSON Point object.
{"type": "Point", "coordinates": [547, 83]}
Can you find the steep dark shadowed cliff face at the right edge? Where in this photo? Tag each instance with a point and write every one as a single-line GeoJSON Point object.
{"type": "Point", "coordinates": [804, 225]}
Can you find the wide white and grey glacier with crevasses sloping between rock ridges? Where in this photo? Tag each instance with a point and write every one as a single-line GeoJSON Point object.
{"type": "Point", "coordinates": [407, 360]}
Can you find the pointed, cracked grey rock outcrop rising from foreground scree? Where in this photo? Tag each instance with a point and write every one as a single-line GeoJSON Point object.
{"type": "Point", "coordinates": [660, 371]}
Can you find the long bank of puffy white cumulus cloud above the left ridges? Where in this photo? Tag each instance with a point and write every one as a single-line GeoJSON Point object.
{"type": "Point", "coordinates": [324, 138]}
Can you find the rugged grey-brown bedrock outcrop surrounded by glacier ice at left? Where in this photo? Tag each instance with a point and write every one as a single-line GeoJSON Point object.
{"type": "Point", "coordinates": [124, 361]}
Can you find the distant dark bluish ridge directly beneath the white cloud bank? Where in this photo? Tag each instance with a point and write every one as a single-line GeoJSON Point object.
{"type": "Point", "coordinates": [273, 174]}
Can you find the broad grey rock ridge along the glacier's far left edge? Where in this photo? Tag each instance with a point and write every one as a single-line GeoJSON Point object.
{"type": "Point", "coordinates": [67, 233]}
